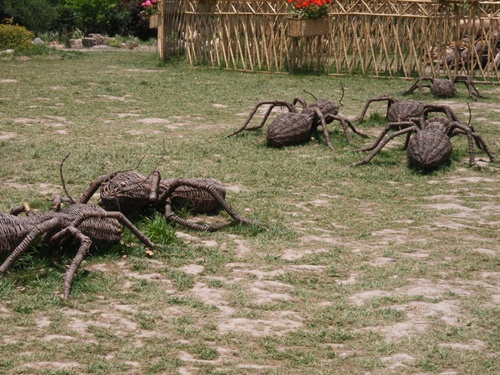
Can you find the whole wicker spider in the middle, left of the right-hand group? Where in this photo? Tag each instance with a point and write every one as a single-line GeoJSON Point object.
{"type": "Point", "coordinates": [296, 127]}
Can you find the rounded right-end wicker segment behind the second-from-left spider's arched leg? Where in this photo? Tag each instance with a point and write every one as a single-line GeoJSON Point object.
{"type": "Point", "coordinates": [195, 199]}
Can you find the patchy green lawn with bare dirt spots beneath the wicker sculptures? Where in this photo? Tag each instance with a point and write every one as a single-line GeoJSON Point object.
{"type": "Point", "coordinates": [373, 269]}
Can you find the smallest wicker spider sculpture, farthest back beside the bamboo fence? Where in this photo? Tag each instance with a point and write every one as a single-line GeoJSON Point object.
{"type": "Point", "coordinates": [444, 88]}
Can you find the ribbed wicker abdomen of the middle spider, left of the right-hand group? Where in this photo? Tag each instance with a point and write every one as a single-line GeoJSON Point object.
{"type": "Point", "coordinates": [289, 129]}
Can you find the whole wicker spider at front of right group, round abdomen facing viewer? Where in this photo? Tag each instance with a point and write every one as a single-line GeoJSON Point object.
{"type": "Point", "coordinates": [430, 146]}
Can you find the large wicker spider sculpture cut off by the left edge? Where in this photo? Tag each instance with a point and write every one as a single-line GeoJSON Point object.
{"type": "Point", "coordinates": [83, 224]}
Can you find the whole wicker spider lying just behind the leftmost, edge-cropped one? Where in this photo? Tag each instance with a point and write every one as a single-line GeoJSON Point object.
{"type": "Point", "coordinates": [132, 192]}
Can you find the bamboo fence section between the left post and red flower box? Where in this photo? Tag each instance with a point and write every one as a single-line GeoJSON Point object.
{"type": "Point", "coordinates": [246, 35]}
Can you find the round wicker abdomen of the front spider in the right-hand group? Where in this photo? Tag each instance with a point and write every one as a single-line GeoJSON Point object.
{"type": "Point", "coordinates": [429, 149]}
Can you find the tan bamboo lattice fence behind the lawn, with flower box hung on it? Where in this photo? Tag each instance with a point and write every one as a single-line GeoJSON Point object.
{"type": "Point", "coordinates": [403, 38]}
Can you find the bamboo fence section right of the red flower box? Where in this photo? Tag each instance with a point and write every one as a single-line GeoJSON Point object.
{"type": "Point", "coordinates": [404, 38]}
